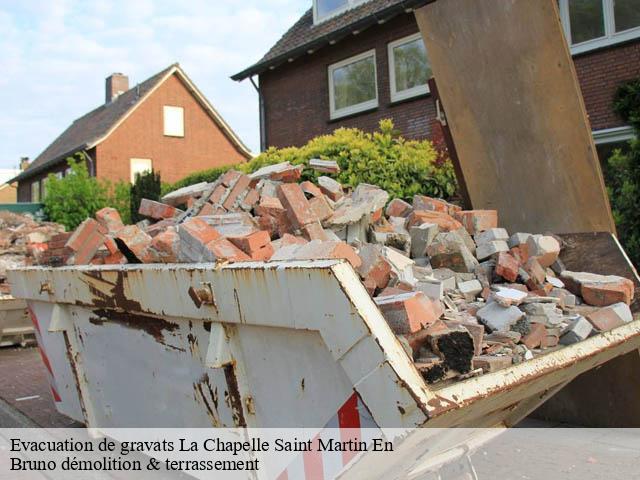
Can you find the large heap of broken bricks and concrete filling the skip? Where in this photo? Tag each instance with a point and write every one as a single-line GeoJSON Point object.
{"type": "Point", "coordinates": [463, 296]}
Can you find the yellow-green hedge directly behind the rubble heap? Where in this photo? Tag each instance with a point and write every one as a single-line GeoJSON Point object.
{"type": "Point", "coordinates": [402, 167]}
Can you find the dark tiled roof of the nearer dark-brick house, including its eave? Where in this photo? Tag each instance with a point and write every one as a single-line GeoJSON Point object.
{"type": "Point", "coordinates": [304, 34]}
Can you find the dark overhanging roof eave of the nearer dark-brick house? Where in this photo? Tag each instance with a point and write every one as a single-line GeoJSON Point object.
{"type": "Point", "coordinates": [335, 35]}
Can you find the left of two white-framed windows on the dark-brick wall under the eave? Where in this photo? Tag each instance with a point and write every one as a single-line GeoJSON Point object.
{"type": "Point", "coordinates": [353, 86]}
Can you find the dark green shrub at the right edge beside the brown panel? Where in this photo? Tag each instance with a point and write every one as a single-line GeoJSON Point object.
{"type": "Point", "coordinates": [622, 173]}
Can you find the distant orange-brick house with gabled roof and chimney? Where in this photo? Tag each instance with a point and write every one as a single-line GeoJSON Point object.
{"type": "Point", "coordinates": [164, 123]}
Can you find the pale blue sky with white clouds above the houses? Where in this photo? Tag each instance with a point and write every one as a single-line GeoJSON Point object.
{"type": "Point", "coordinates": [55, 55]}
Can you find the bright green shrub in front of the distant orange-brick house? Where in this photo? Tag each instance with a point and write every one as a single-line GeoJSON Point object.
{"type": "Point", "coordinates": [70, 200]}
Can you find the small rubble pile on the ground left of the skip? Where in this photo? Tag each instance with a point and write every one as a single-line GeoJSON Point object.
{"type": "Point", "coordinates": [23, 241]}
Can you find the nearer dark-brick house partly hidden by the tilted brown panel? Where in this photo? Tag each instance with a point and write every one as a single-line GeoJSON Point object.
{"type": "Point", "coordinates": [350, 63]}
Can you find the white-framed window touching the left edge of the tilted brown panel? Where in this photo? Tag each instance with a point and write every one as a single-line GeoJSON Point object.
{"type": "Point", "coordinates": [409, 68]}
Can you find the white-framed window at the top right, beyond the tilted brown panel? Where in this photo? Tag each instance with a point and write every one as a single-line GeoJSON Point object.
{"type": "Point", "coordinates": [590, 24]}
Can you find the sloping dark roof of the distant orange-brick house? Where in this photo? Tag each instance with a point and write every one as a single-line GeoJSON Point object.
{"type": "Point", "coordinates": [89, 128]}
